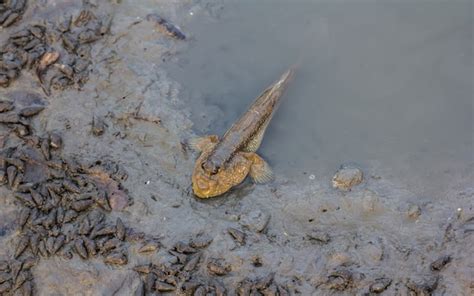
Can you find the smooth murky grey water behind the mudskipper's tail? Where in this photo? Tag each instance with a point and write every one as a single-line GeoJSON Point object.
{"type": "Point", "coordinates": [386, 85]}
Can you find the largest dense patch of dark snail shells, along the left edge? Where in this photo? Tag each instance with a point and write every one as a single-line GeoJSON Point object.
{"type": "Point", "coordinates": [64, 202]}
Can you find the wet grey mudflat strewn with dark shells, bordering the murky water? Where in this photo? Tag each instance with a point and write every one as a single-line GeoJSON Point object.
{"type": "Point", "coordinates": [95, 177]}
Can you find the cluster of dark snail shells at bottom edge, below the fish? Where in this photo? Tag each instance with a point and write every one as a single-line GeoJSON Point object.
{"type": "Point", "coordinates": [183, 275]}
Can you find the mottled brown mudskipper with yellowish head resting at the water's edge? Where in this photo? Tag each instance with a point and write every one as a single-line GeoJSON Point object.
{"type": "Point", "coordinates": [225, 162]}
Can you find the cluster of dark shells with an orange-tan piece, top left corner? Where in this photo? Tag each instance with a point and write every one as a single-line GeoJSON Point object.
{"type": "Point", "coordinates": [59, 53]}
